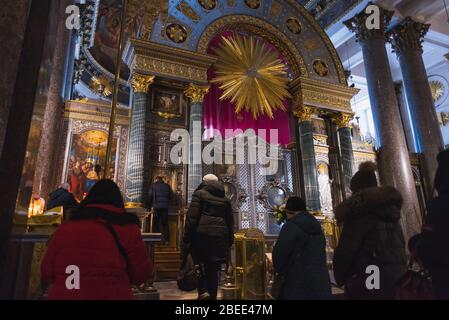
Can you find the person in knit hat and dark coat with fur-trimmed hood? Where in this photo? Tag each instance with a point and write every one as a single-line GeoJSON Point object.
{"type": "Point", "coordinates": [371, 235]}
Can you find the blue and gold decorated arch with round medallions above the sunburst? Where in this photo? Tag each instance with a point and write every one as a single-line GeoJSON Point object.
{"type": "Point", "coordinates": [293, 27]}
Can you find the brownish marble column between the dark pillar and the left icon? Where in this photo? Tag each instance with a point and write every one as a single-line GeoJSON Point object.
{"type": "Point", "coordinates": [45, 170]}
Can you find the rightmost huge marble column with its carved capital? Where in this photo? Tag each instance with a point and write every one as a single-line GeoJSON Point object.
{"type": "Point", "coordinates": [406, 39]}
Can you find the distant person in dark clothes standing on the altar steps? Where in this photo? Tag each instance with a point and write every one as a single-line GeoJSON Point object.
{"type": "Point", "coordinates": [159, 195]}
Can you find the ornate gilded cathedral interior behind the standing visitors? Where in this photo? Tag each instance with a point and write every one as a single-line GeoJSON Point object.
{"type": "Point", "coordinates": [109, 83]}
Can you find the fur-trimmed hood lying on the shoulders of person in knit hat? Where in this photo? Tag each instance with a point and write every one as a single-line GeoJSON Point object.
{"type": "Point", "coordinates": [383, 202]}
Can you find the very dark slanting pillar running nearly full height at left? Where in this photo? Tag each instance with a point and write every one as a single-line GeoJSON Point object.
{"type": "Point", "coordinates": [19, 120]}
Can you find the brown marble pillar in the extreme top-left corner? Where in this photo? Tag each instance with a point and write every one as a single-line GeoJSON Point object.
{"type": "Point", "coordinates": [12, 31]}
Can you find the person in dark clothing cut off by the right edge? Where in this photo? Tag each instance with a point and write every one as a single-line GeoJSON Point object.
{"type": "Point", "coordinates": [433, 247]}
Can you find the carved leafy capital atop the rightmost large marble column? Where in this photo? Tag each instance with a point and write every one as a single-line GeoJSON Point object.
{"type": "Point", "coordinates": [408, 36]}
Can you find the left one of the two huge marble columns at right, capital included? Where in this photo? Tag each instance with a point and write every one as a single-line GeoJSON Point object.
{"type": "Point", "coordinates": [393, 156]}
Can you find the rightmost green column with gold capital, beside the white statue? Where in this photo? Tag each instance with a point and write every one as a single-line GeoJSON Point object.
{"type": "Point", "coordinates": [345, 145]}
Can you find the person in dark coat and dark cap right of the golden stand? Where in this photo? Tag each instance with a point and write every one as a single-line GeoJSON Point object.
{"type": "Point", "coordinates": [300, 256]}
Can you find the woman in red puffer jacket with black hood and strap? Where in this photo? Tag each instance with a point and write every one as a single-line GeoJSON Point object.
{"type": "Point", "coordinates": [104, 243]}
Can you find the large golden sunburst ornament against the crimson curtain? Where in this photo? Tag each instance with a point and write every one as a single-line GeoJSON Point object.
{"type": "Point", "coordinates": [251, 76]}
